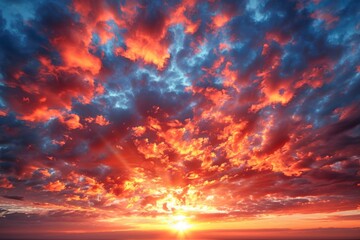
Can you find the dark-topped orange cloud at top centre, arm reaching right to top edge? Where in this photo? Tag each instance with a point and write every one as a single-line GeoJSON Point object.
{"type": "Point", "coordinates": [146, 39]}
